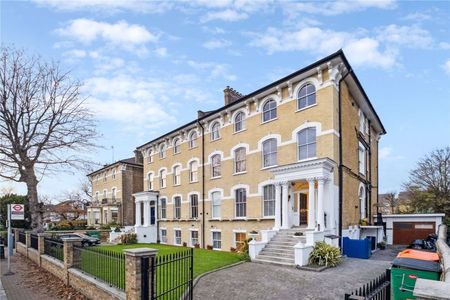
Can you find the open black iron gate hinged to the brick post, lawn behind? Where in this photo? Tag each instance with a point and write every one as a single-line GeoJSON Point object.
{"type": "Point", "coordinates": [169, 276]}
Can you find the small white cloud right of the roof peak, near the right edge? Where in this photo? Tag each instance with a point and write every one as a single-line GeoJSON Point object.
{"type": "Point", "coordinates": [407, 36]}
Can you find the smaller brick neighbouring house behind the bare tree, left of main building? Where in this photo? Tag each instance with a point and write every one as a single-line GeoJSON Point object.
{"type": "Point", "coordinates": [112, 192]}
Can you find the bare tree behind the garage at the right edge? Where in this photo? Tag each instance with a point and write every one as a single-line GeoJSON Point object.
{"type": "Point", "coordinates": [429, 183]}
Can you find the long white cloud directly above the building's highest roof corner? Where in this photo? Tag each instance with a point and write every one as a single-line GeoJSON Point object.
{"type": "Point", "coordinates": [361, 51]}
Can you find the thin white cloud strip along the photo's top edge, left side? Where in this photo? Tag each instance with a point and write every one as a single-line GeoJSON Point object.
{"type": "Point", "coordinates": [108, 6]}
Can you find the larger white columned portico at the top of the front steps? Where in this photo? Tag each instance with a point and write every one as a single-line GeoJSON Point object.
{"type": "Point", "coordinates": [321, 195]}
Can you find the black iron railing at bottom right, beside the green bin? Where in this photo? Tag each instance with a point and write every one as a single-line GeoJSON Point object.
{"type": "Point", "coordinates": [379, 289]}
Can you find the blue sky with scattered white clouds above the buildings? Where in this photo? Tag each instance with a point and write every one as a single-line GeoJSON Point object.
{"type": "Point", "coordinates": [148, 66]}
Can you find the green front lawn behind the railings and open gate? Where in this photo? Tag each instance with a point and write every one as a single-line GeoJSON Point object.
{"type": "Point", "coordinates": [107, 263]}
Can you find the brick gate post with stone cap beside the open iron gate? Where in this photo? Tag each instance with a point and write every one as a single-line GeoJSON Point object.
{"type": "Point", "coordinates": [136, 272]}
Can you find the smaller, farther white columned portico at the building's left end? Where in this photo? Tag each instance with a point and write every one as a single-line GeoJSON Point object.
{"type": "Point", "coordinates": [146, 216]}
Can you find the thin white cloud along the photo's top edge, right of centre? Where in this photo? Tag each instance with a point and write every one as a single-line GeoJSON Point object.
{"type": "Point", "coordinates": [331, 8]}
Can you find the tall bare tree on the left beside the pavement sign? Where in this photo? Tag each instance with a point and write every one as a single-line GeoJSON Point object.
{"type": "Point", "coordinates": [44, 124]}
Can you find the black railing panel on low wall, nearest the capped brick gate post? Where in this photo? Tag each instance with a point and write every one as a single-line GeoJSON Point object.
{"type": "Point", "coordinates": [106, 265]}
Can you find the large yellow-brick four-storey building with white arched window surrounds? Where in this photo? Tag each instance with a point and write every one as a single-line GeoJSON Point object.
{"type": "Point", "coordinates": [301, 152]}
